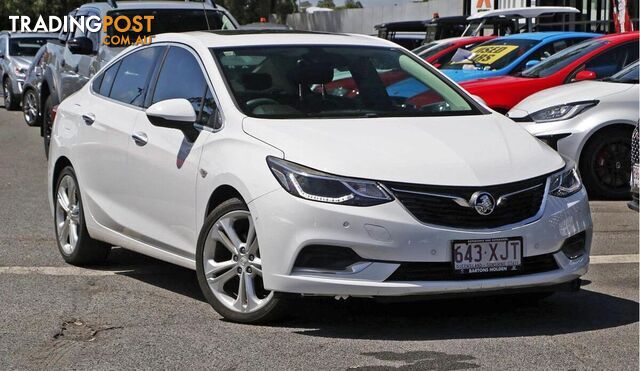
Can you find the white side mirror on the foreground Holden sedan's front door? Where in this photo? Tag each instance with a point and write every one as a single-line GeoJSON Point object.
{"type": "Point", "coordinates": [174, 114]}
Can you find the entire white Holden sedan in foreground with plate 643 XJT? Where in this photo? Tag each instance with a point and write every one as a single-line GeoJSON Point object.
{"type": "Point", "coordinates": [218, 152]}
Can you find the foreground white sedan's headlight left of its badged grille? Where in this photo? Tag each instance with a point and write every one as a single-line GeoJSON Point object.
{"type": "Point", "coordinates": [318, 186]}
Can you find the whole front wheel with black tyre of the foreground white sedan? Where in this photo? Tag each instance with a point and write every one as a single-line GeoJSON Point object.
{"type": "Point", "coordinates": [229, 264]}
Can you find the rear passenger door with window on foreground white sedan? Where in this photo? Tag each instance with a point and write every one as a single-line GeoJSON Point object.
{"type": "Point", "coordinates": [107, 117]}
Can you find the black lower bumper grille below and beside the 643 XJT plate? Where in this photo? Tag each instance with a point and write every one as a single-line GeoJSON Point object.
{"type": "Point", "coordinates": [444, 271]}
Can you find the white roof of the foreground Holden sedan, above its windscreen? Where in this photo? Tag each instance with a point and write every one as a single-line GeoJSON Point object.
{"type": "Point", "coordinates": [240, 38]}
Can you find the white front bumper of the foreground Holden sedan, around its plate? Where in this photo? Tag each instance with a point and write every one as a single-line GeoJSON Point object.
{"type": "Point", "coordinates": [387, 235]}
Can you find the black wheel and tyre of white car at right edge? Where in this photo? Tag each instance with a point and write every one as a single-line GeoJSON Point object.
{"type": "Point", "coordinates": [605, 164]}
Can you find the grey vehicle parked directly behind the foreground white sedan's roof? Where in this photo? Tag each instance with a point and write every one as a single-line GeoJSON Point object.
{"type": "Point", "coordinates": [73, 59]}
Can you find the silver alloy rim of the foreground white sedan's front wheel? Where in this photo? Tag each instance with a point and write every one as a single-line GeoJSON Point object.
{"type": "Point", "coordinates": [232, 264]}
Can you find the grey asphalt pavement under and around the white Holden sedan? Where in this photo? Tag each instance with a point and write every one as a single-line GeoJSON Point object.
{"type": "Point", "coordinates": [138, 312]}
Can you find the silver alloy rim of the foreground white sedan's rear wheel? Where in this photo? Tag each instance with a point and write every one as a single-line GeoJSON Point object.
{"type": "Point", "coordinates": [67, 214]}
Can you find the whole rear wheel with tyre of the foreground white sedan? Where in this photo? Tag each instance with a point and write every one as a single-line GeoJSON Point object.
{"type": "Point", "coordinates": [73, 240]}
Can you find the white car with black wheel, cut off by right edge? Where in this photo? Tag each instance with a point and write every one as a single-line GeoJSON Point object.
{"type": "Point", "coordinates": [590, 122]}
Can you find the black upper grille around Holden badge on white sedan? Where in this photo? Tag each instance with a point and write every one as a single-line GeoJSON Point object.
{"type": "Point", "coordinates": [436, 205]}
